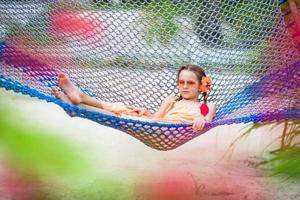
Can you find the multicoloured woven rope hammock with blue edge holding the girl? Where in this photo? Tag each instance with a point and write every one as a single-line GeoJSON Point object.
{"type": "Point", "coordinates": [129, 52]}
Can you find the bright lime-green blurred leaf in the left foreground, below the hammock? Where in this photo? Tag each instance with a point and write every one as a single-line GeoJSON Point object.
{"type": "Point", "coordinates": [32, 149]}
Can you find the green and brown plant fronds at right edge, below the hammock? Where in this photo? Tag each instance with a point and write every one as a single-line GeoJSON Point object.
{"type": "Point", "coordinates": [285, 159]}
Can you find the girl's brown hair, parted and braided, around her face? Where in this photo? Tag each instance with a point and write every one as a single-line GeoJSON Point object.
{"type": "Point", "coordinates": [198, 71]}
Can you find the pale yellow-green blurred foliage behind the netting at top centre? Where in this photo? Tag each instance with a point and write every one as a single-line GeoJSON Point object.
{"type": "Point", "coordinates": [160, 20]}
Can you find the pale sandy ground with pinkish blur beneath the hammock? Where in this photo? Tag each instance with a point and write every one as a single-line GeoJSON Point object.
{"type": "Point", "coordinates": [201, 165]}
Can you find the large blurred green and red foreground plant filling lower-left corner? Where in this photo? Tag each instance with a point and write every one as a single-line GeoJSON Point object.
{"type": "Point", "coordinates": [37, 164]}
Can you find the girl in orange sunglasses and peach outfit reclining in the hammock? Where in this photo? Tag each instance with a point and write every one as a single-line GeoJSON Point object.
{"type": "Point", "coordinates": [186, 109]}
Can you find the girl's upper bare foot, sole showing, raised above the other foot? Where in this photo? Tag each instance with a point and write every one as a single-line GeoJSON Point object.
{"type": "Point", "coordinates": [74, 94]}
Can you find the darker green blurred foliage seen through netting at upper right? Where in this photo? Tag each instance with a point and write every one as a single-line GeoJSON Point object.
{"type": "Point", "coordinates": [251, 20]}
